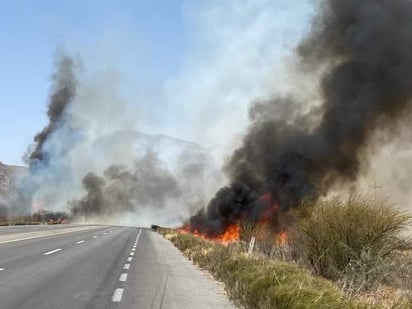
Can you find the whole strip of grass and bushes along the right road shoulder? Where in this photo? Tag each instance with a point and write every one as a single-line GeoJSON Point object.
{"type": "Point", "coordinates": [337, 254]}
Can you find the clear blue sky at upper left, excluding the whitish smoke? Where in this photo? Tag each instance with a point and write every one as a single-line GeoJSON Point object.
{"type": "Point", "coordinates": [149, 40]}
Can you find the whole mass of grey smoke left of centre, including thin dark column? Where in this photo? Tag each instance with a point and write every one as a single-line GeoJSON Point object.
{"type": "Point", "coordinates": [132, 181]}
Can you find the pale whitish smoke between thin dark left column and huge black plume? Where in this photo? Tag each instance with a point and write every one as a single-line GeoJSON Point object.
{"type": "Point", "coordinates": [237, 54]}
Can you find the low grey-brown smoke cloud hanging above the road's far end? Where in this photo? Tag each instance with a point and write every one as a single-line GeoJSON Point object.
{"type": "Point", "coordinates": [121, 189]}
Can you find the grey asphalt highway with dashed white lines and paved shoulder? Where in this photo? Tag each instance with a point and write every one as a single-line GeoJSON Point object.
{"type": "Point", "coordinates": [99, 267]}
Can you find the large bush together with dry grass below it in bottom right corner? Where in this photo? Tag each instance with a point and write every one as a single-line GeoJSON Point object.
{"type": "Point", "coordinates": [358, 244]}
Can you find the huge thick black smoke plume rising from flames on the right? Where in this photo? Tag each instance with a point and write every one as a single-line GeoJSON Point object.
{"type": "Point", "coordinates": [365, 51]}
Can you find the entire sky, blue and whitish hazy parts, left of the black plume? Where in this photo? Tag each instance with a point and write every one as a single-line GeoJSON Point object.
{"type": "Point", "coordinates": [191, 67]}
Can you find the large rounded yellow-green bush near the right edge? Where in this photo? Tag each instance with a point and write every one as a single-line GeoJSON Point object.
{"type": "Point", "coordinates": [352, 239]}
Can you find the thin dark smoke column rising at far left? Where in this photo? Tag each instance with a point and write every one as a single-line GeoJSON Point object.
{"type": "Point", "coordinates": [63, 91]}
